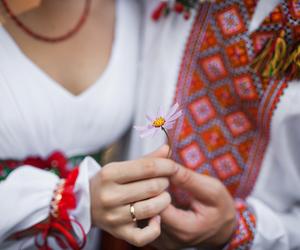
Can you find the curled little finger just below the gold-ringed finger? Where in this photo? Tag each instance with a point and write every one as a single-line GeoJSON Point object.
{"type": "Point", "coordinates": [142, 236]}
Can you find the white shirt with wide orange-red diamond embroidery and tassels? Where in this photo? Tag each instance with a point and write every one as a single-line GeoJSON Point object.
{"type": "Point", "coordinates": [229, 68]}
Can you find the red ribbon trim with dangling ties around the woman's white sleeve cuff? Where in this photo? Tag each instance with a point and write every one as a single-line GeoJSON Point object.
{"type": "Point", "coordinates": [59, 225]}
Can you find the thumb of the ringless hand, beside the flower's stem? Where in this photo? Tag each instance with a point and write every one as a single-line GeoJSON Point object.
{"type": "Point", "coordinates": [202, 187]}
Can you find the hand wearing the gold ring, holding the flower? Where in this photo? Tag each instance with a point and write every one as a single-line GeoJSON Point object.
{"type": "Point", "coordinates": [141, 183]}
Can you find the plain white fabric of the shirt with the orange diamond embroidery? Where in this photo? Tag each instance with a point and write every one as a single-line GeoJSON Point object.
{"type": "Point", "coordinates": [276, 195]}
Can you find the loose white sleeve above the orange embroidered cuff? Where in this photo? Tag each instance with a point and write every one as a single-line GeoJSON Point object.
{"type": "Point", "coordinates": [276, 196]}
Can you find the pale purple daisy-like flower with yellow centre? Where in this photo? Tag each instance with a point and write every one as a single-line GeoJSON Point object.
{"type": "Point", "coordinates": [160, 122]}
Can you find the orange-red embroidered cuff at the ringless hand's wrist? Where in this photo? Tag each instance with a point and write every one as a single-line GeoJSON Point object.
{"type": "Point", "coordinates": [243, 236]}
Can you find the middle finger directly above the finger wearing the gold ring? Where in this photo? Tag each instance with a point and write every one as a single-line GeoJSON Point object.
{"type": "Point", "coordinates": [141, 190]}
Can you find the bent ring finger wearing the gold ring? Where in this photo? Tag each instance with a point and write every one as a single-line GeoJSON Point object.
{"type": "Point", "coordinates": [143, 209]}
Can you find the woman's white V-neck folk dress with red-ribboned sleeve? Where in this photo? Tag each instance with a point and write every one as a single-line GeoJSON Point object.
{"type": "Point", "coordinates": [45, 134]}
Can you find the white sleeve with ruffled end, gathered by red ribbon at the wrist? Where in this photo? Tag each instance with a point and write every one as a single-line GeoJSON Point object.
{"type": "Point", "coordinates": [26, 194]}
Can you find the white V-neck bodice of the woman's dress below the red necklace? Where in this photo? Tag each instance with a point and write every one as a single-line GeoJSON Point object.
{"type": "Point", "coordinates": [38, 115]}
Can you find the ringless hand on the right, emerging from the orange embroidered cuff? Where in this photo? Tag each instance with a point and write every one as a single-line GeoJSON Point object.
{"type": "Point", "coordinates": [210, 221]}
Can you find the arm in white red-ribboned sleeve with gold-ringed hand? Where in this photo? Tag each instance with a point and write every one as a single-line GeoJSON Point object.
{"type": "Point", "coordinates": [103, 198]}
